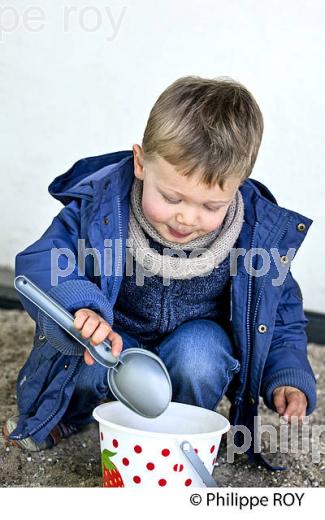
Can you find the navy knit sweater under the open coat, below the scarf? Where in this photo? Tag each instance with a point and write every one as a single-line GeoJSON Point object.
{"type": "Point", "coordinates": [153, 310]}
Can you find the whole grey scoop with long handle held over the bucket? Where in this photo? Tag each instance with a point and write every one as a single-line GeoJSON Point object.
{"type": "Point", "coordinates": [138, 378]}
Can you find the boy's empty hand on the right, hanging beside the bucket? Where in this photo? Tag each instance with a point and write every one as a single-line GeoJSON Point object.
{"type": "Point", "coordinates": [290, 402]}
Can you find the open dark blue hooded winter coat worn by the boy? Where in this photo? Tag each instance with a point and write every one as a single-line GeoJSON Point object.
{"type": "Point", "coordinates": [267, 321]}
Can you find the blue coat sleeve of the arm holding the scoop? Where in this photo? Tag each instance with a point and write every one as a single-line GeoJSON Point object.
{"type": "Point", "coordinates": [71, 291]}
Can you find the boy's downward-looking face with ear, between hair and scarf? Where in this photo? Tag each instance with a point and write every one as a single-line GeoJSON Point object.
{"type": "Point", "coordinates": [178, 207]}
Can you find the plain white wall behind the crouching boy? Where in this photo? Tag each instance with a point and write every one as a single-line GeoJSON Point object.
{"type": "Point", "coordinates": [79, 78]}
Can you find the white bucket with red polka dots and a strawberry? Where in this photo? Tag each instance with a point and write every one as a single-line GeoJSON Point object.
{"type": "Point", "coordinates": [137, 451]}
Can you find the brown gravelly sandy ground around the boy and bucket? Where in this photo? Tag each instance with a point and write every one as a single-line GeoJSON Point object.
{"type": "Point", "coordinates": [75, 462]}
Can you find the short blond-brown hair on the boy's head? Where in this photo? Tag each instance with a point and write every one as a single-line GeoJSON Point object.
{"type": "Point", "coordinates": [210, 126]}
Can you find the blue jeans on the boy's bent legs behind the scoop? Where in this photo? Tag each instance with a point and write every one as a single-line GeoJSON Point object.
{"type": "Point", "coordinates": [199, 358]}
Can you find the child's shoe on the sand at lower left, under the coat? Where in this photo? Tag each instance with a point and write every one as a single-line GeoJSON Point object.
{"type": "Point", "coordinates": [60, 431]}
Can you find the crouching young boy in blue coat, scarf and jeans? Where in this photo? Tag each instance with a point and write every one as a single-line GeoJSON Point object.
{"type": "Point", "coordinates": [199, 271]}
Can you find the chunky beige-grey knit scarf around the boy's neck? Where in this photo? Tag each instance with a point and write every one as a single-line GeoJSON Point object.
{"type": "Point", "coordinates": [207, 251]}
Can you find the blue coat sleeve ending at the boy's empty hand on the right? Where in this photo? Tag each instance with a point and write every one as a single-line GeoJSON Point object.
{"type": "Point", "coordinates": [287, 362]}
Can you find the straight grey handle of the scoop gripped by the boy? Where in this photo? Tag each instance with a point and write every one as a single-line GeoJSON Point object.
{"type": "Point", "coordinates": [101, 353]}
